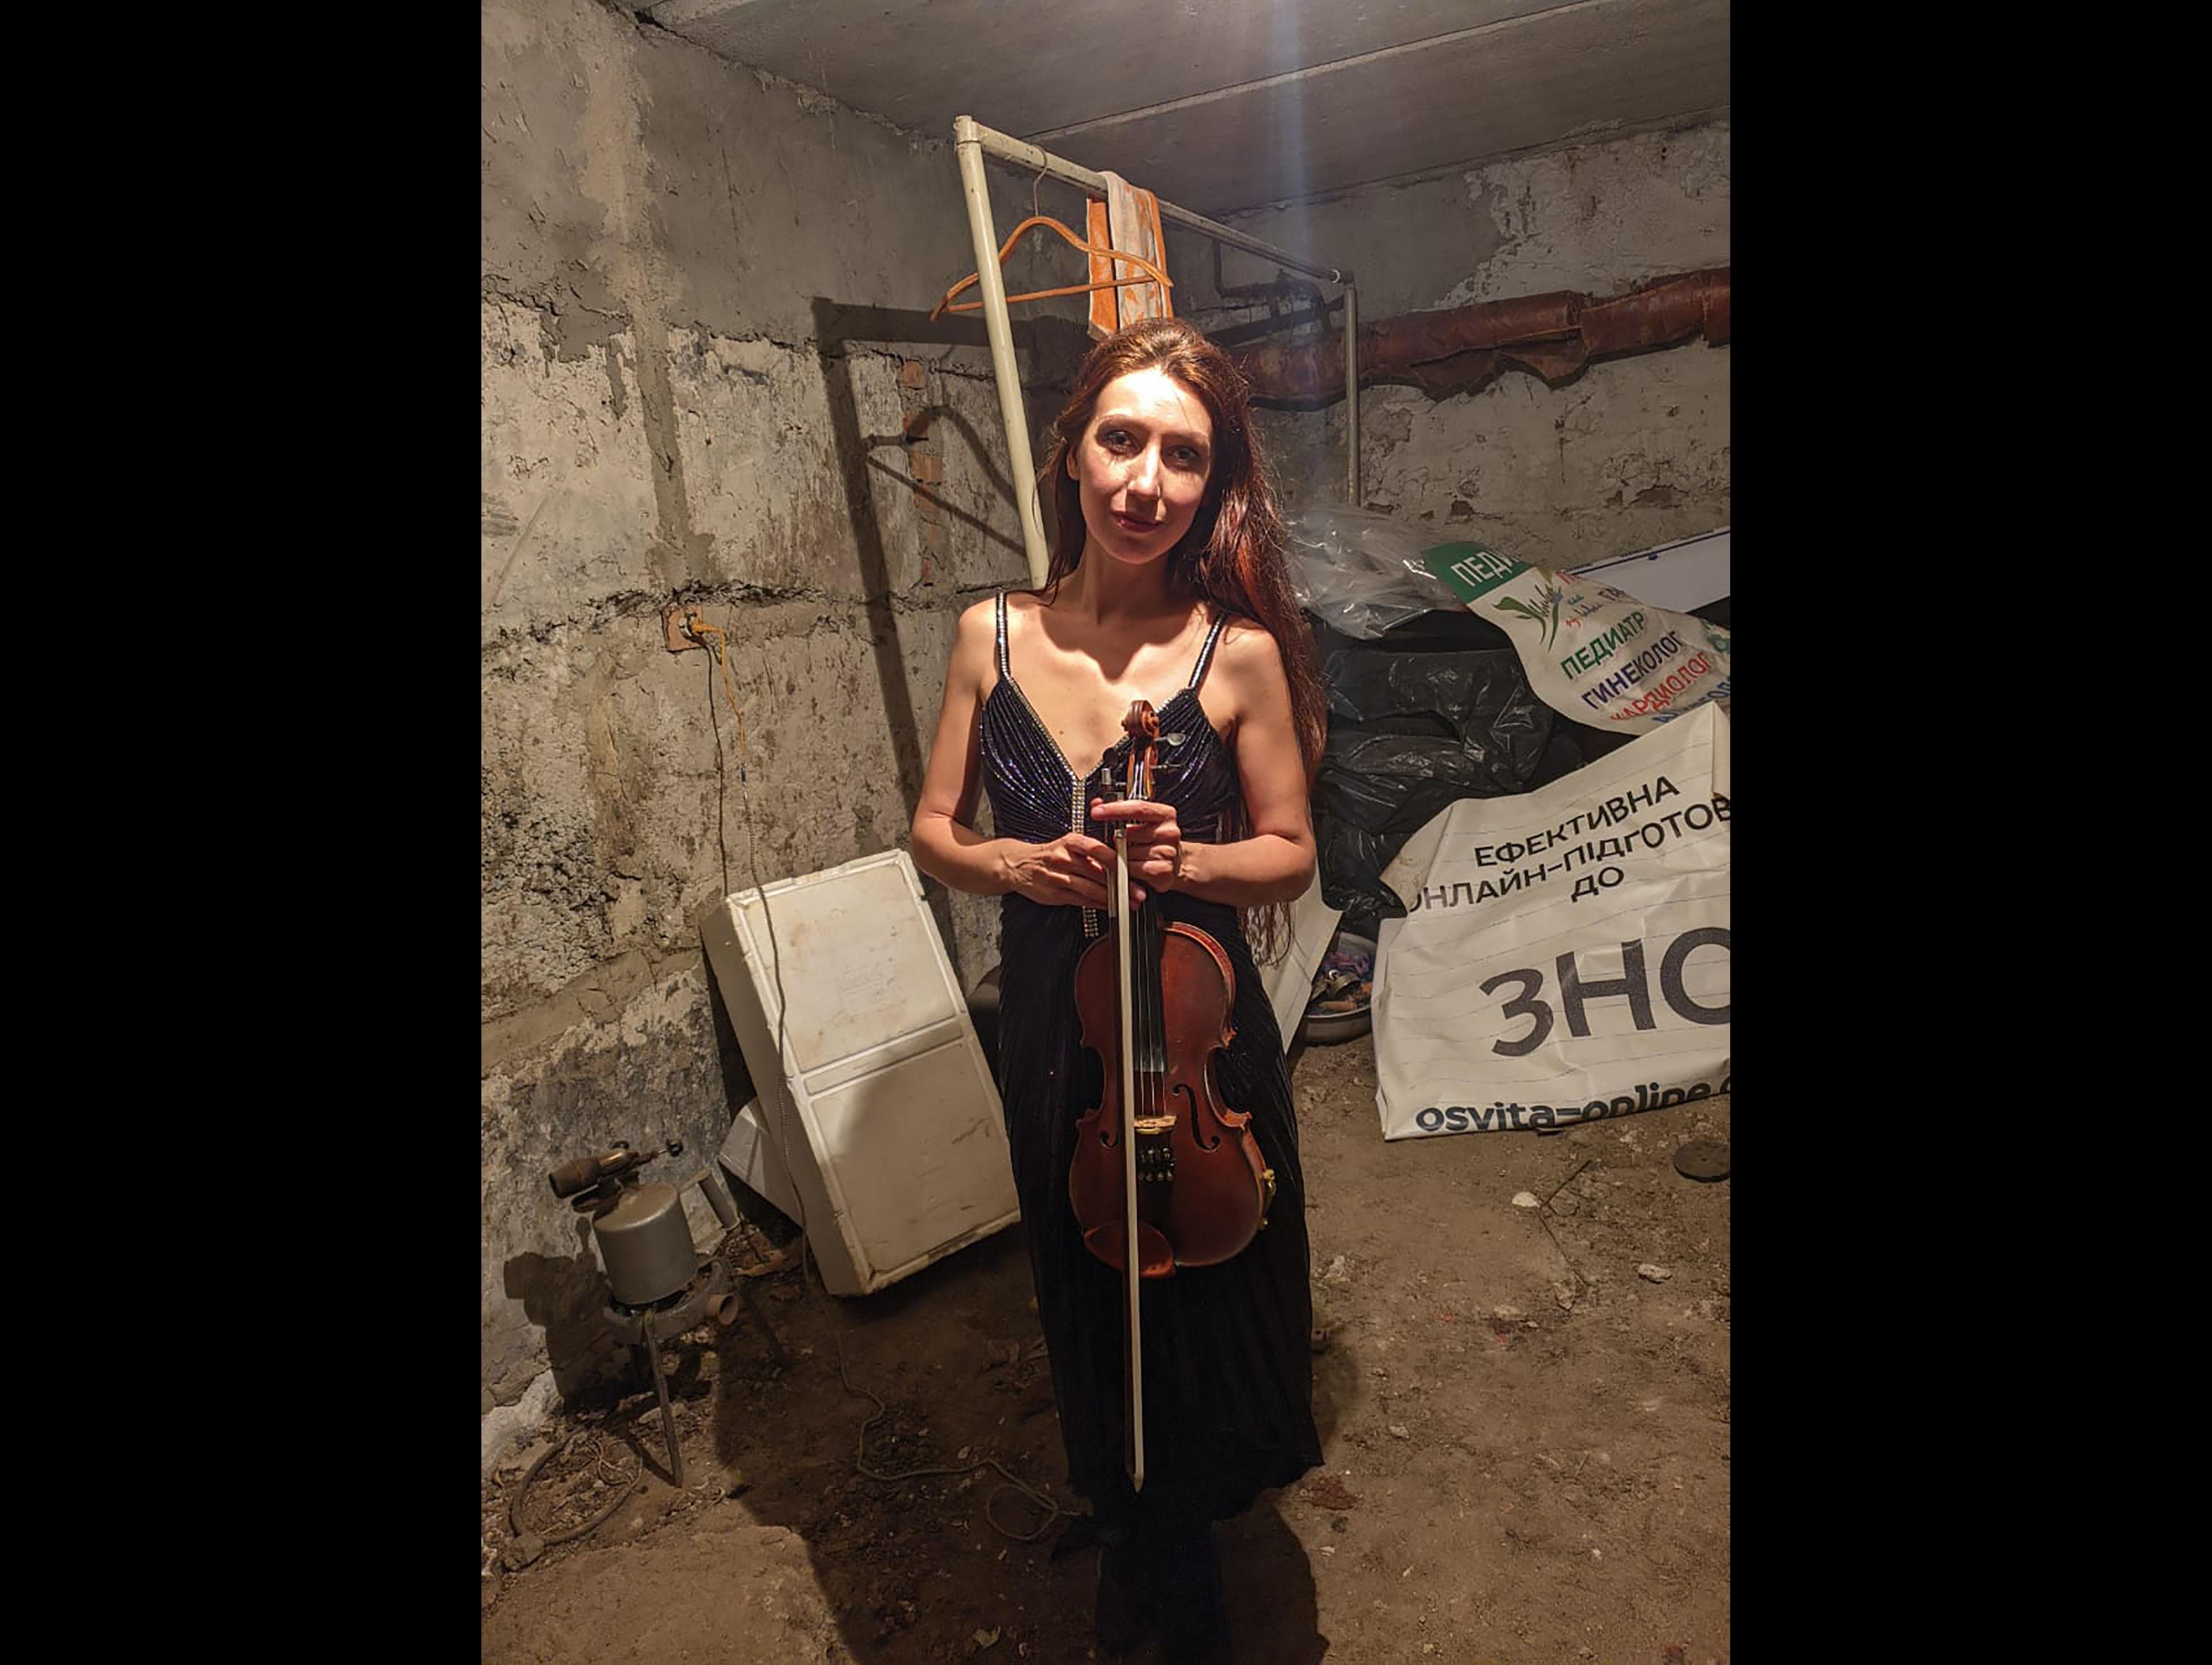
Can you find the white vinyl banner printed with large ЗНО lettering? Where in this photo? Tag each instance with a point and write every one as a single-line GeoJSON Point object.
{"type": "Point", "coordinates": [1565, 954]}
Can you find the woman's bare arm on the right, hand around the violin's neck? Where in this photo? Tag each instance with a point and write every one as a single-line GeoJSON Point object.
{"type": "Point", "coordinates": [1275, 861]}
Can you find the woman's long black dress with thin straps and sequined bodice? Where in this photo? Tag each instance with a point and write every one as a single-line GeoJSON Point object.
{"type": "Point", "coordinates": [1227, 1350]}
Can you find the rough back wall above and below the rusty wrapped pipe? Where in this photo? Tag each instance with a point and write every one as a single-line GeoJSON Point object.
{"type": "Point", "coordinates": [1629, 454]}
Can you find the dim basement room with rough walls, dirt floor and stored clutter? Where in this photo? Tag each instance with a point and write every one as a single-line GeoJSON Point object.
{"type": "Point", "coordinates": [1105, 872]}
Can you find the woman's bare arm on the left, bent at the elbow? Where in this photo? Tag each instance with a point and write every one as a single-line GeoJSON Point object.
{"type": "Point", "coordinates": [1072, 870]}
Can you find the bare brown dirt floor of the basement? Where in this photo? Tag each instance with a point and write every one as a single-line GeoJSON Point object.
{"type": "Point", "coordinates": [1523, 1412]}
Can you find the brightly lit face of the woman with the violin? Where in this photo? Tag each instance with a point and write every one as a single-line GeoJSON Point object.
{"type": "Point", "coordinates": [1140, 465]}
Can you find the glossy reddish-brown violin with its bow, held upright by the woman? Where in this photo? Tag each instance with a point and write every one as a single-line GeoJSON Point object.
{"type": "Point", "coordinates": [1160, 1149]}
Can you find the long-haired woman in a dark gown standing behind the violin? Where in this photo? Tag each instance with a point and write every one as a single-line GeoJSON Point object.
{"type": "Point", "coordinates": [1167, 585]}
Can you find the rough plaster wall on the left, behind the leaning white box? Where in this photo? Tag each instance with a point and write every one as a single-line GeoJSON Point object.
{"type": "Point", "coordinates": [705, 364]}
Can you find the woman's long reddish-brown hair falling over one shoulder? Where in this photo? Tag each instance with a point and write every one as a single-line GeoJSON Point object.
{"type": "Point", "coordinates": [1235, 552]}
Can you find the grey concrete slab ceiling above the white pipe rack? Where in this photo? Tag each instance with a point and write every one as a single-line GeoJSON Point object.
{"type": "Point", "coordinates": [1224, 105]}
